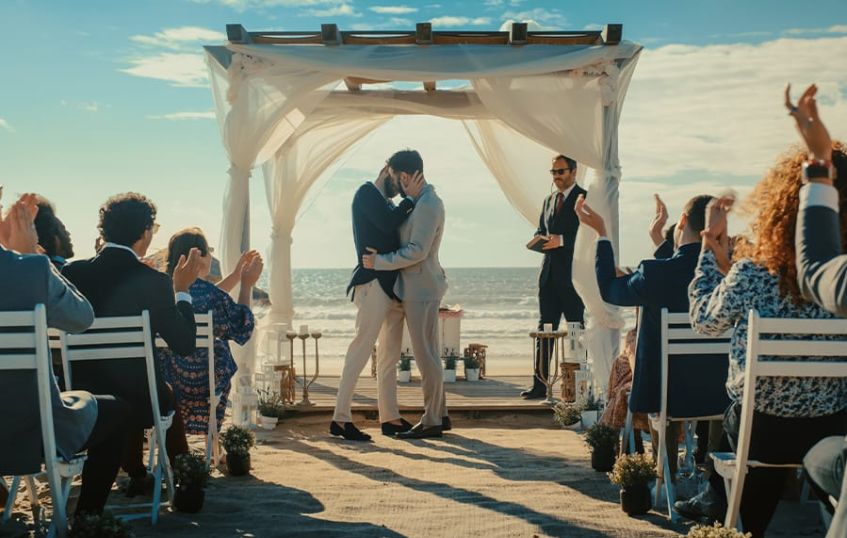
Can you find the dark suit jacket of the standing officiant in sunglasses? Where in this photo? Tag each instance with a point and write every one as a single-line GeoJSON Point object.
{"type": "Point", "coordinates": [558, 262]}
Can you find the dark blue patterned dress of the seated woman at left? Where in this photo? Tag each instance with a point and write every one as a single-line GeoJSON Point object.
{"type": "Point", "coordinates": [189, 376]}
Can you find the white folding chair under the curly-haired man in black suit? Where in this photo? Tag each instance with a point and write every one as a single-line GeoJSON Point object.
{"type": "Point", "coordinates": [118, 338]}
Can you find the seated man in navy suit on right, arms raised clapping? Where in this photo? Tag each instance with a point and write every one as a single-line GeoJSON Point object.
{"type": "Point", "coordinates": [656, 284]}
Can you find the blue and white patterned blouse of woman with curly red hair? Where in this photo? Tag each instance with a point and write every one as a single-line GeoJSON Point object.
{"type": "Point", "coordinates": [719, 303]}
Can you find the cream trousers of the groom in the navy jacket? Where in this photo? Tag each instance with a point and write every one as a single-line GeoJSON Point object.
{"type": "Point", "coordinates": [376, 311]}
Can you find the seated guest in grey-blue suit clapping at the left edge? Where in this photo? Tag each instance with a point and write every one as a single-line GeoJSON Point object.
{"type": "Point", "coordinates": [81, 420]}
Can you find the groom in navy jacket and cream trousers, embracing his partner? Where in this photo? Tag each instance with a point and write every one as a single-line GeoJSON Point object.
{"type": "Point", "coordinates": [375, 228]}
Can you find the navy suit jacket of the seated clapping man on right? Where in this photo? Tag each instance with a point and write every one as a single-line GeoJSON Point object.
{"type": "Point", "coordinates": [656, 284]}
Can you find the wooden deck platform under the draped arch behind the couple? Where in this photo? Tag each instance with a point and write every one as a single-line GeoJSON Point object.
{"type": "Point", "coordinates": [489, 394]}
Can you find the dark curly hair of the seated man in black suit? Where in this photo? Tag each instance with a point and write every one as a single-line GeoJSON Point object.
{"type": "Point", "coordinates": [125, 217]}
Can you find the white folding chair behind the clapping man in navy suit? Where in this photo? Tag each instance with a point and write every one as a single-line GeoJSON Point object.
{"type": "Point", "coordinates": [679, 343]}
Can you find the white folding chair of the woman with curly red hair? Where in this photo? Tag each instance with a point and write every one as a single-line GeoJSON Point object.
{"type": "Point", "coordinates": [776, 358]}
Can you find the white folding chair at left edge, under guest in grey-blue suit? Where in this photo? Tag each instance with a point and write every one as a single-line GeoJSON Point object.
{"type": "Point", "coordinates": [27, 336]}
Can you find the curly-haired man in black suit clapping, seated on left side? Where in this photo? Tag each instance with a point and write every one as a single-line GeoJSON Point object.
{"type": "Point", "coordinates": [117, 283]}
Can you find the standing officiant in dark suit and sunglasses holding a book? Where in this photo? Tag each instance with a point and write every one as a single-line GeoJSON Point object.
{"type": "Point", "coordinates": [556, 293]}
